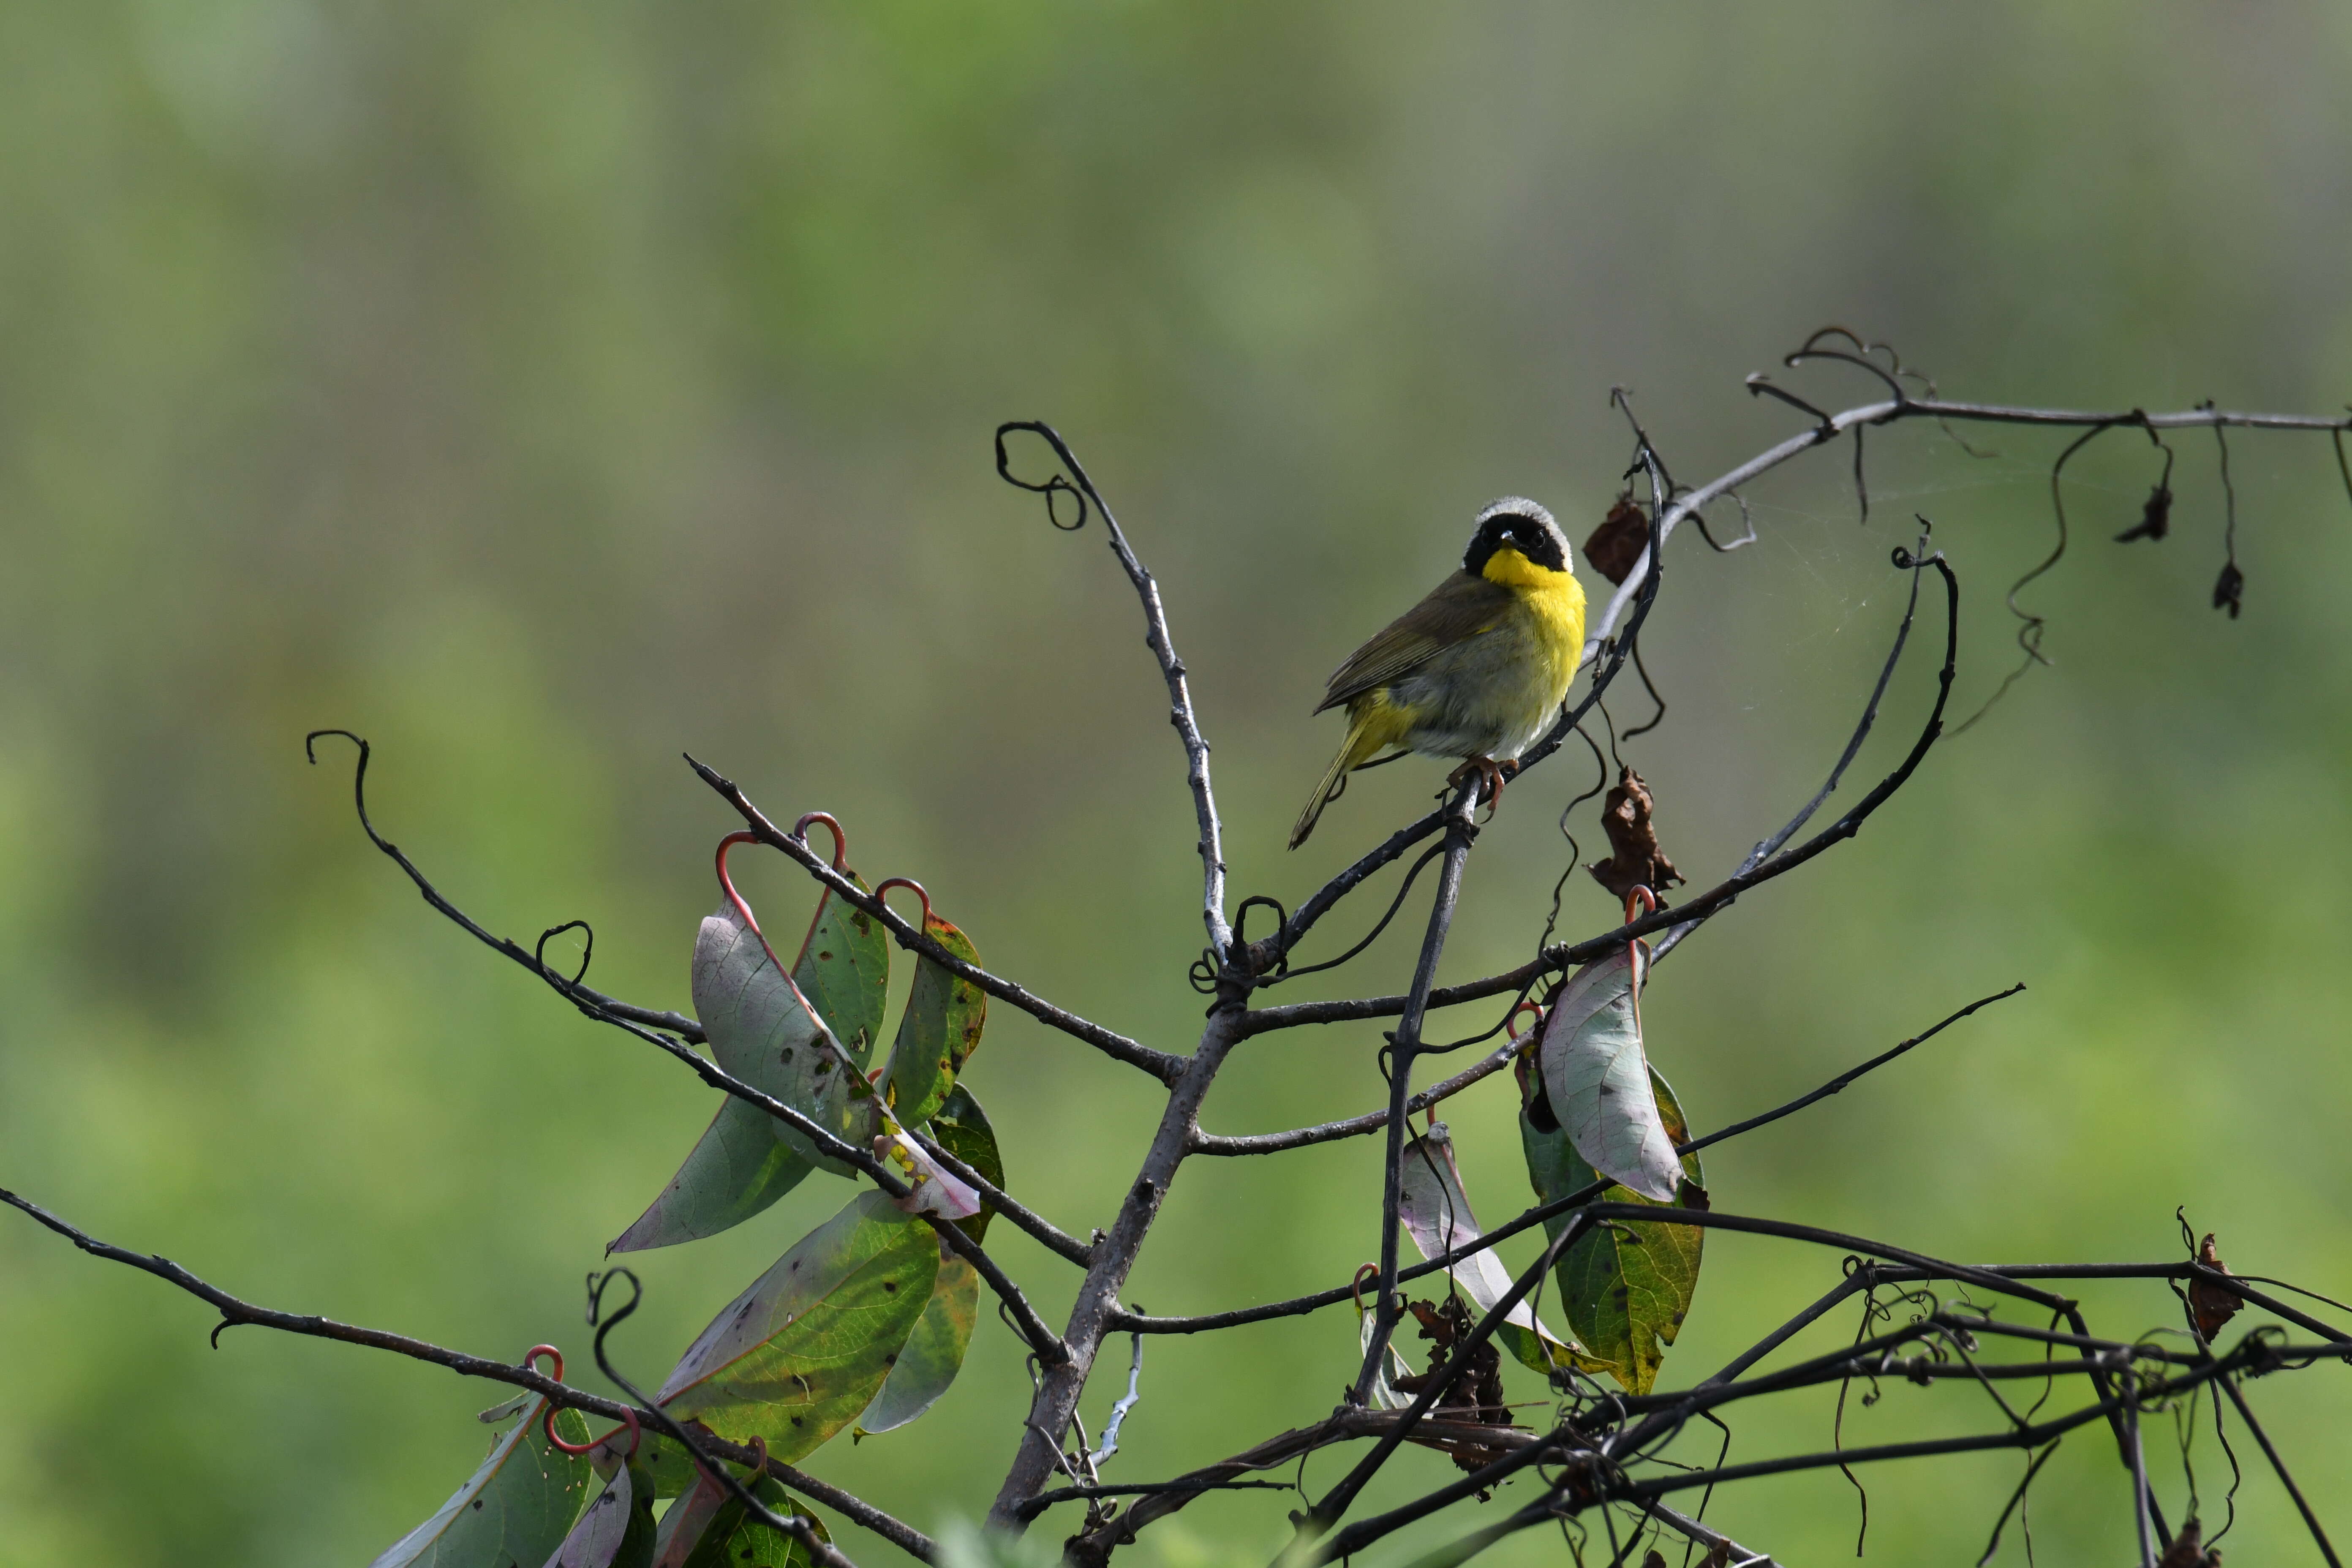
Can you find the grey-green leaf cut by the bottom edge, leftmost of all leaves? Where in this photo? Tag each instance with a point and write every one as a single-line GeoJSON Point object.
{"type": "Point", "coordinates": [516, 1508]}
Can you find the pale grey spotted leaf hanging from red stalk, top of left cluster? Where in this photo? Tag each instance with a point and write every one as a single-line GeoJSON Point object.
{"type": "Point", "coordinates": [766, 1033]}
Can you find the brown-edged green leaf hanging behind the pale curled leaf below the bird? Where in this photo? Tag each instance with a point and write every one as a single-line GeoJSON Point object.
{"type": "Point", "coordinates": [1622, 1287]}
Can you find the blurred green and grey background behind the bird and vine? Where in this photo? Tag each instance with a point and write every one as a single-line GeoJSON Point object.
{"type": "Point", "coordinates": [552, 389]}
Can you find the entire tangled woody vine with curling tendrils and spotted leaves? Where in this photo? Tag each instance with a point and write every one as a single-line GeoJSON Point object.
{"type": "Point", "coordinates": [867, 1320]}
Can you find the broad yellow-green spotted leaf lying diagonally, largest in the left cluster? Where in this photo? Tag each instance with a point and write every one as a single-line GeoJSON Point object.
{"type": "Point", "coordinates": [810, 1343]}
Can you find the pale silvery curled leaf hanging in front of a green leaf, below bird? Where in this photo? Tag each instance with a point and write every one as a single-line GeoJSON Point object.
{"type": "Point", "coordinates": [1598, 1078]}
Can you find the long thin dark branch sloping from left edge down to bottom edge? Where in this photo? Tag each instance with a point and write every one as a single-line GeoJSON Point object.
{"type": "Point", "coordinates": [241, 1313]}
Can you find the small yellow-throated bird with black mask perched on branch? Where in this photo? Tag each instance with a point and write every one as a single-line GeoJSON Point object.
{"type": "Point", "coordinates": [1478, 669]}
